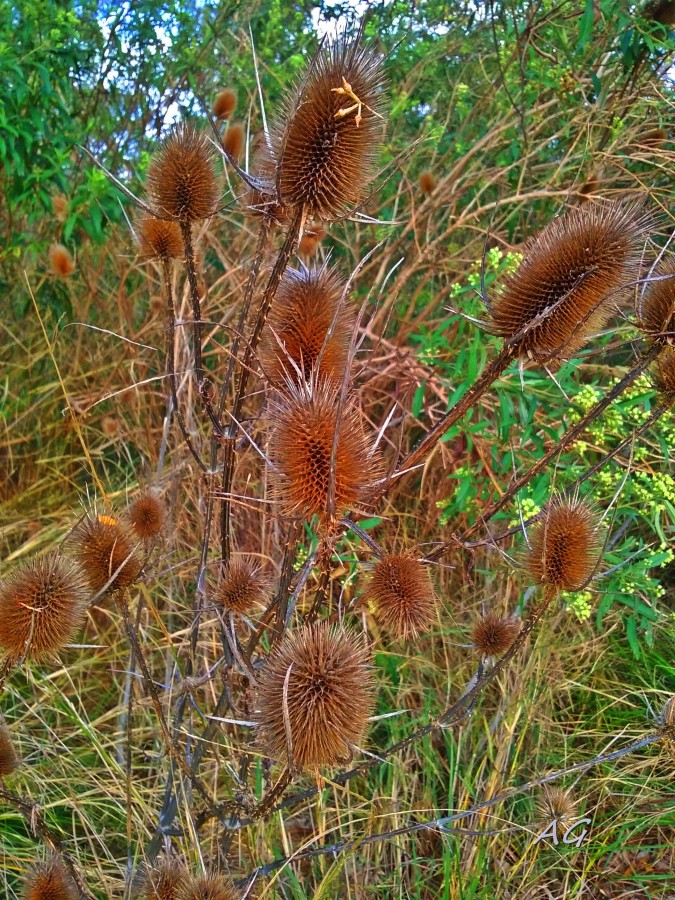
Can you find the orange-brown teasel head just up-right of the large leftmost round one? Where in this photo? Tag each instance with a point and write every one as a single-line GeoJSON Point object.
{"type": "Point", "coordinates": [102, 544]}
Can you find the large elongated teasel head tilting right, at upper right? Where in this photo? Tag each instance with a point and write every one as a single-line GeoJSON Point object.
{"type": "Point", "coordinates": [568, 283]}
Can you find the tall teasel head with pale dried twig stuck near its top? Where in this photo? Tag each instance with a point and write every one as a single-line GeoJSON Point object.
{"type": "Point", "coordinates": [326, 144]}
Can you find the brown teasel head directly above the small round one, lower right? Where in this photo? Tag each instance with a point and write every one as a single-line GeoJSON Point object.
{"type": "Point", "coordinates": [564, 547]}
